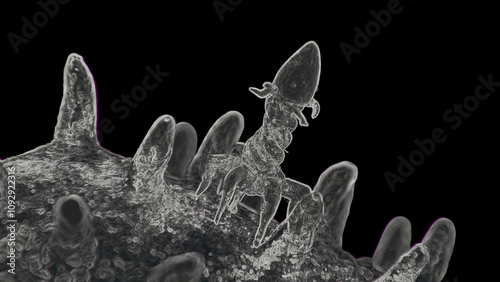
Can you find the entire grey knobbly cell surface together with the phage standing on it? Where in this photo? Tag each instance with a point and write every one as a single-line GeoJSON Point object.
{"type": "Point", "coordinates": [175, 213]}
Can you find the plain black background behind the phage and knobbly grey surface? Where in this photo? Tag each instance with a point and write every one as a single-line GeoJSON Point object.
{"type": "Point", "coordinates": [372, 109]}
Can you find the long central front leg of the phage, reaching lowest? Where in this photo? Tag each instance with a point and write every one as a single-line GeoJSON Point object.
{"type": "Point", "coordinates": [270, 202]}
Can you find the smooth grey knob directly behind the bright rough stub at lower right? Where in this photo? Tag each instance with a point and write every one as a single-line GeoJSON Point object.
{"type": "Point", "coordinates": [395, 241]}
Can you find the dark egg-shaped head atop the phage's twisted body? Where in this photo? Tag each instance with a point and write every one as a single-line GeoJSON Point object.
{"type": "Point", "coordinates": [298, 78]}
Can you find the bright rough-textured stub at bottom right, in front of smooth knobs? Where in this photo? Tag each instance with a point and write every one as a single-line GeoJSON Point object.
{"type": "Point", "coordinates": [409, 265]}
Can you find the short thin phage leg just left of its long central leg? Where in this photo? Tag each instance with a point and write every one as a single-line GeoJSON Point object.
{"type": "Point", "coordinates": [231, 182]}
